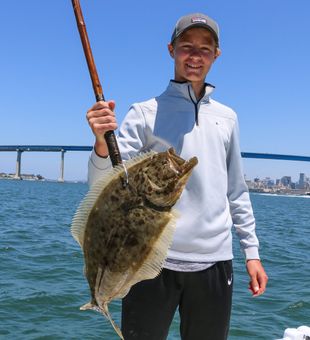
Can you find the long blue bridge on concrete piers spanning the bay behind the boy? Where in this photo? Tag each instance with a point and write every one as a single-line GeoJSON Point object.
{"type": "Point", "coordinates": [64, 148]}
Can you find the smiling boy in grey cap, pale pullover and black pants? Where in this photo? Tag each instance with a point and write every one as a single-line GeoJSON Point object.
{"type": "Point", "coordinates": [197, 275]}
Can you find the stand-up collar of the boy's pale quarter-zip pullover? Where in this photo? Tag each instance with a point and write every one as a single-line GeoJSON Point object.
{"type": "Point", "coordinates": [185, 89]}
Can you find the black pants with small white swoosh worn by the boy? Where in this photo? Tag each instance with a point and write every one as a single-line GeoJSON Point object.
{"type": "Point", "coordinates": [203, 297]}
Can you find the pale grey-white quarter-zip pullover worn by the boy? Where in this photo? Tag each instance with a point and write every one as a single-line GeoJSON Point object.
{"type": "Point", "coordinates": [216, 196]}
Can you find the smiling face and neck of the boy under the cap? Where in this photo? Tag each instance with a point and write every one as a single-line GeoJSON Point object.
{"type": "Point", "coordinates": [194, 53]}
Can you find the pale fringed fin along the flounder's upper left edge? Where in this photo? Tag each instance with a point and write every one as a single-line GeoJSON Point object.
{"type": "Point", "coordinates": [80, 218]}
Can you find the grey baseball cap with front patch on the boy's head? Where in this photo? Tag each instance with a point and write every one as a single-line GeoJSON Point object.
{"type": "Point", "coordinates": [195, 20]}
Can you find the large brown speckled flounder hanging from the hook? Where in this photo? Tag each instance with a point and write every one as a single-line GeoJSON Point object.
{"type": "Point", "coordinates": [125, 230]}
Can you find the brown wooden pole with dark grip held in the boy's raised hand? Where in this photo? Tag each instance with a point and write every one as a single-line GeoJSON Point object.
{"type": "Point", "coordinates": [109, 136]}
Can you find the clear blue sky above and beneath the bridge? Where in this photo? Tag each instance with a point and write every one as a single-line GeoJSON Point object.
{"type": "Point", "coordinates": [45, 88]}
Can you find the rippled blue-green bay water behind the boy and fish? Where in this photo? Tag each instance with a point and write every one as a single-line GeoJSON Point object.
{"type": "Point", "coordinates": [42, 284]}
